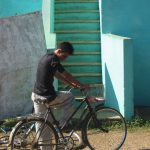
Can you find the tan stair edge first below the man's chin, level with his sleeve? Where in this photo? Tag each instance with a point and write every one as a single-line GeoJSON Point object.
{"type": "Point", "coordinates": [81, 64]}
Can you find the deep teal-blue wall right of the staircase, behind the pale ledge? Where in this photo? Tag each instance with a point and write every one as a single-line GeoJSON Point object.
{"type": "Point", "coordinates": [131, 18]}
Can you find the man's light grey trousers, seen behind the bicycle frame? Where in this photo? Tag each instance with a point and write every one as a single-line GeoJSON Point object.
{"type": "Point", "coordinates": [64, 100]}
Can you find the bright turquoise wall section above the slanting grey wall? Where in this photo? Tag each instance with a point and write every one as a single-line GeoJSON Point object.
{"type": "Point", "coordinates": [16, 7]}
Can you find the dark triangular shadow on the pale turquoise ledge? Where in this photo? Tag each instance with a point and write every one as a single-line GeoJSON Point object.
{"type": "Point", "coordinates": [110, 96]}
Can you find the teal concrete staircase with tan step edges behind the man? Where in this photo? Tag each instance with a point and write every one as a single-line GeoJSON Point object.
{"type": "Point", "coordinates": [77, 21]}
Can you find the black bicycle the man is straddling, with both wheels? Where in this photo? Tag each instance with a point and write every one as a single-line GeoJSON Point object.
{"type": "Point", "coordinates": [101, 128]}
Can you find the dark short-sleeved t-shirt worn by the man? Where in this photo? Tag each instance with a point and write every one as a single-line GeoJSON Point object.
{"type": "Point", "coordinates": [47, 67]}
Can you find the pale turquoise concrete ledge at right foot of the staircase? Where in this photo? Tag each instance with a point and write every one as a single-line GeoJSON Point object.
{"type": "Point", "coordinates": [117, 69]}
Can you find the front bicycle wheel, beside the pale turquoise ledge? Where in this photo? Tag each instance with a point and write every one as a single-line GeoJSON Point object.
{"type": "Point", "coordinates": [108, 132]}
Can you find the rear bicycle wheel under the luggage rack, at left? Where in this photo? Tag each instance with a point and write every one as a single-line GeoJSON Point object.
{"type": "Point", "coordinates": [23, 137]}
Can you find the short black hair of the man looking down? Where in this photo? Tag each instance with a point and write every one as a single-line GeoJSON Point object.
{"type": "Point", "coordinates": [66, 47]}
